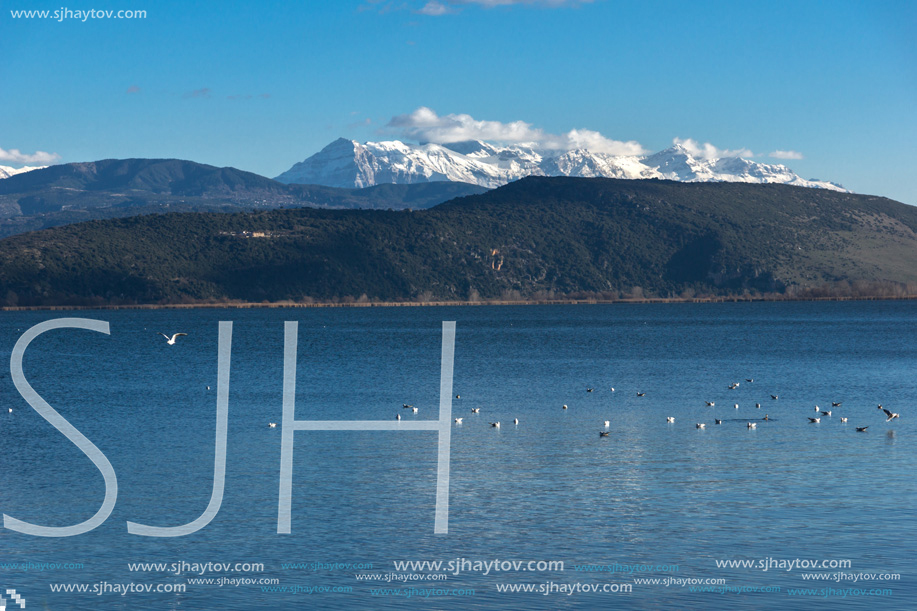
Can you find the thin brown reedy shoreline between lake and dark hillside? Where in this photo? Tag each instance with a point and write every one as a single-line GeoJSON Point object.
{"type": "Point", "coordinates": [240, 305]}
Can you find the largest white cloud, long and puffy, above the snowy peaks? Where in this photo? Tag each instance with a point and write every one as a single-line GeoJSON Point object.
{"type": "Point", "coordinates": [424, 125]}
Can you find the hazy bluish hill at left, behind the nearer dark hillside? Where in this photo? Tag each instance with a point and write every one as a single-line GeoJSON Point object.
{"type": "Point", "coordinates": [74, 192]}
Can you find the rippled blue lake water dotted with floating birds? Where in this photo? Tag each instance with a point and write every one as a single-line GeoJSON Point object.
{"type": "Point", "coordinates": [549, 489]}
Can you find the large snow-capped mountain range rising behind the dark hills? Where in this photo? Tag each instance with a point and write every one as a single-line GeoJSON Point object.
{"type": "Point", "coordinates": [346, 163]}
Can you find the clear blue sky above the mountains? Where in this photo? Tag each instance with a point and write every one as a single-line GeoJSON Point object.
{"type": "Point", "coordinates": [262, 85]}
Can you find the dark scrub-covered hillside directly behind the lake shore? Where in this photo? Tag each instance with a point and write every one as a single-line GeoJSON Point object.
{"type": "Point", "coordinates": [538, 237]}
